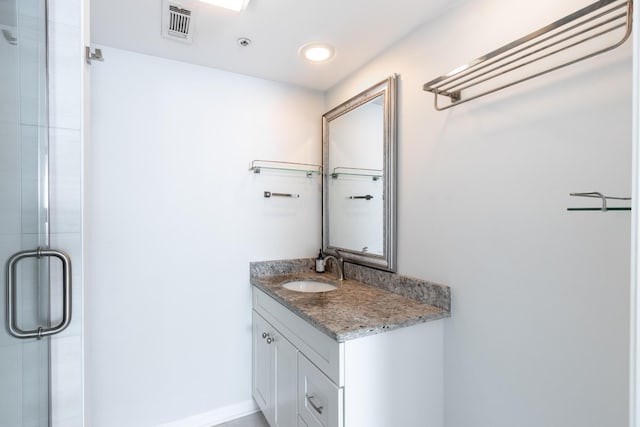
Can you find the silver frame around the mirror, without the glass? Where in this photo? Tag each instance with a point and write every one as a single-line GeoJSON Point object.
{"type": "Point", "coordinates": [387, 88]}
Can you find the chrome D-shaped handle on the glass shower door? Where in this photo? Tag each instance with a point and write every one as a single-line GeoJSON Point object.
{"type": "Point", "coordinates": [12, 316]}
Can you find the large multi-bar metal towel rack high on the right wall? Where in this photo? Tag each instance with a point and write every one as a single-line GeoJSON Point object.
{"type": "Point", "coordinates": [590, 23]}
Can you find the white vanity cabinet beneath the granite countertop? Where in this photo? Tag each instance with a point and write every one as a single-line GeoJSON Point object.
{"type": "Point", "coordinates": [303, 377]}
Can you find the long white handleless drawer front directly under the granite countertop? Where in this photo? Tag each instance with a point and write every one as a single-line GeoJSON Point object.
{"type": "Point", "coordinates": [325, 352]}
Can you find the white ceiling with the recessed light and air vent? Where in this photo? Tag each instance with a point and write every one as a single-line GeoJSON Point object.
{"type": "Point", "coordinates": [358, 29]}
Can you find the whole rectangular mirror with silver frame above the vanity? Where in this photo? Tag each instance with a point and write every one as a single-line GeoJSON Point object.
{"type": "Point", "coordinates": [359, 169]}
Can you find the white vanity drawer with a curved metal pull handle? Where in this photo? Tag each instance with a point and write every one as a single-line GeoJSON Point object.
{"type": "Point", "coordinates": [320, 401]}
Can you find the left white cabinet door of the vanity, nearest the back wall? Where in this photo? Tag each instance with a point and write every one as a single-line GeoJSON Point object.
{"type": "Point", "coordinates": [262, 366]}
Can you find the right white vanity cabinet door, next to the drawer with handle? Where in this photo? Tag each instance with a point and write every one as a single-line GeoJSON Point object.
{"type": "Point", "coordinates": [285, 357]}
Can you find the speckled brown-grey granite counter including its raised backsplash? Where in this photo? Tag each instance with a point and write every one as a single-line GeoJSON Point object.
{"type": "Point", "coordinates": [354, 309]}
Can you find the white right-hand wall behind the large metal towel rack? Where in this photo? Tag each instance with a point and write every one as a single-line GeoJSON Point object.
{"type": "Point", "coordinates": [539, 328]}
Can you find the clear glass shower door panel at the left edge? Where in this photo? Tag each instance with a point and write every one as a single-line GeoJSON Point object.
{"type": "Point", "coordinates": [24, 364]}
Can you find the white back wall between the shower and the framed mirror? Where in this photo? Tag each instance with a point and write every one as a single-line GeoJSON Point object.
{"type": "Point", "coordinates": [173, 219]}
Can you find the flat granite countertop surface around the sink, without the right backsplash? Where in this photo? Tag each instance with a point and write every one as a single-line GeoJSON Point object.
{"type": "Point", "coordinates": [353, 310]}
